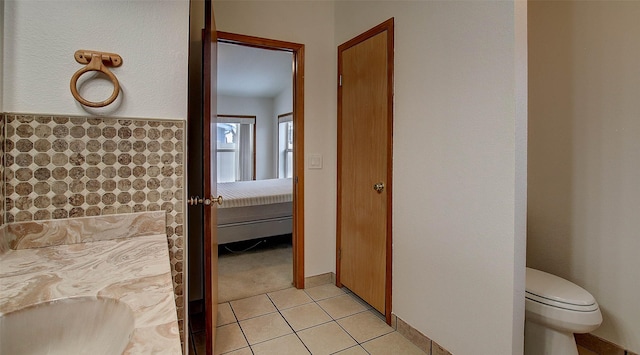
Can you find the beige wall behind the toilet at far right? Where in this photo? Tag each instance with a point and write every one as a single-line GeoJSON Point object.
{"type": "Point", "coordinates": [584, 162]}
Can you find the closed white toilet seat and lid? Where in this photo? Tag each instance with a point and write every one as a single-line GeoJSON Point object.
{"type": "Point", "coordinates": [553, 291]}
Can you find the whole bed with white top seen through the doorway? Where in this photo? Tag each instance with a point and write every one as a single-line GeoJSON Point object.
{"type": "Point", "coordinates": [254, 209]}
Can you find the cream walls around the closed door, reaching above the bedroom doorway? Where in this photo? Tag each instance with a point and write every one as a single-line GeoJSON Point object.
{"type": "Point", "coordinates": [458, 251]}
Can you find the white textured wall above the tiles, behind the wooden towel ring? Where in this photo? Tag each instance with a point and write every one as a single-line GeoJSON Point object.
{"type": "Point", "coordinates": [152, 37]}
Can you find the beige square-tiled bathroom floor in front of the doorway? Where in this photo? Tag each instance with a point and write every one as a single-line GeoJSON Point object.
{"type": "Point", "coordinates": [321, 320]}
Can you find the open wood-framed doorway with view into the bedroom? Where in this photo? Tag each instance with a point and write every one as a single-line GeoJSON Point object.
{"type": "Point", "coordinates": [260, 234]}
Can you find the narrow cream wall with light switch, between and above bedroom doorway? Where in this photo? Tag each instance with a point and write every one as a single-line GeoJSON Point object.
{"type": "Point", "coordinates": [310, 23]}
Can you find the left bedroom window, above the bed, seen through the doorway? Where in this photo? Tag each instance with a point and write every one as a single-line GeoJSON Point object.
{"type": "Point", "coordinates": [235, 148]}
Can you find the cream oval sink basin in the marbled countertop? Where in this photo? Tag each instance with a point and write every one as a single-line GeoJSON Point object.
{"type": "Point", "coordinates": [83, 325]}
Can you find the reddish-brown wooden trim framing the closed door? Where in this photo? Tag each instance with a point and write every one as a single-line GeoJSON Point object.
{"type": "Point", "coordinates": [389, 27]}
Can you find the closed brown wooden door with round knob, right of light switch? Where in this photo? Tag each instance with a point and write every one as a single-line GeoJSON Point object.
{"type": "Point", "coordinates": [365, 121]}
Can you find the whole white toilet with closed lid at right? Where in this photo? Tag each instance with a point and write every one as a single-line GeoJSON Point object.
{"type": "Point", "coordinates": [555, 309]}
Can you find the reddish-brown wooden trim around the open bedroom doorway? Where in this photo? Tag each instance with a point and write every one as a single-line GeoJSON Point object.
{"type": "Point", "coordinates": [298, 138]}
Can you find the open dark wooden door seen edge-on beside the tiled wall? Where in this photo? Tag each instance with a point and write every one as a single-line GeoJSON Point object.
{"type": "Point", "coordinates": [202, 248]}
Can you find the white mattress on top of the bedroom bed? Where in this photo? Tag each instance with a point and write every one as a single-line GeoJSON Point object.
{"type": "Point", "coordinates": [255, 192]}
